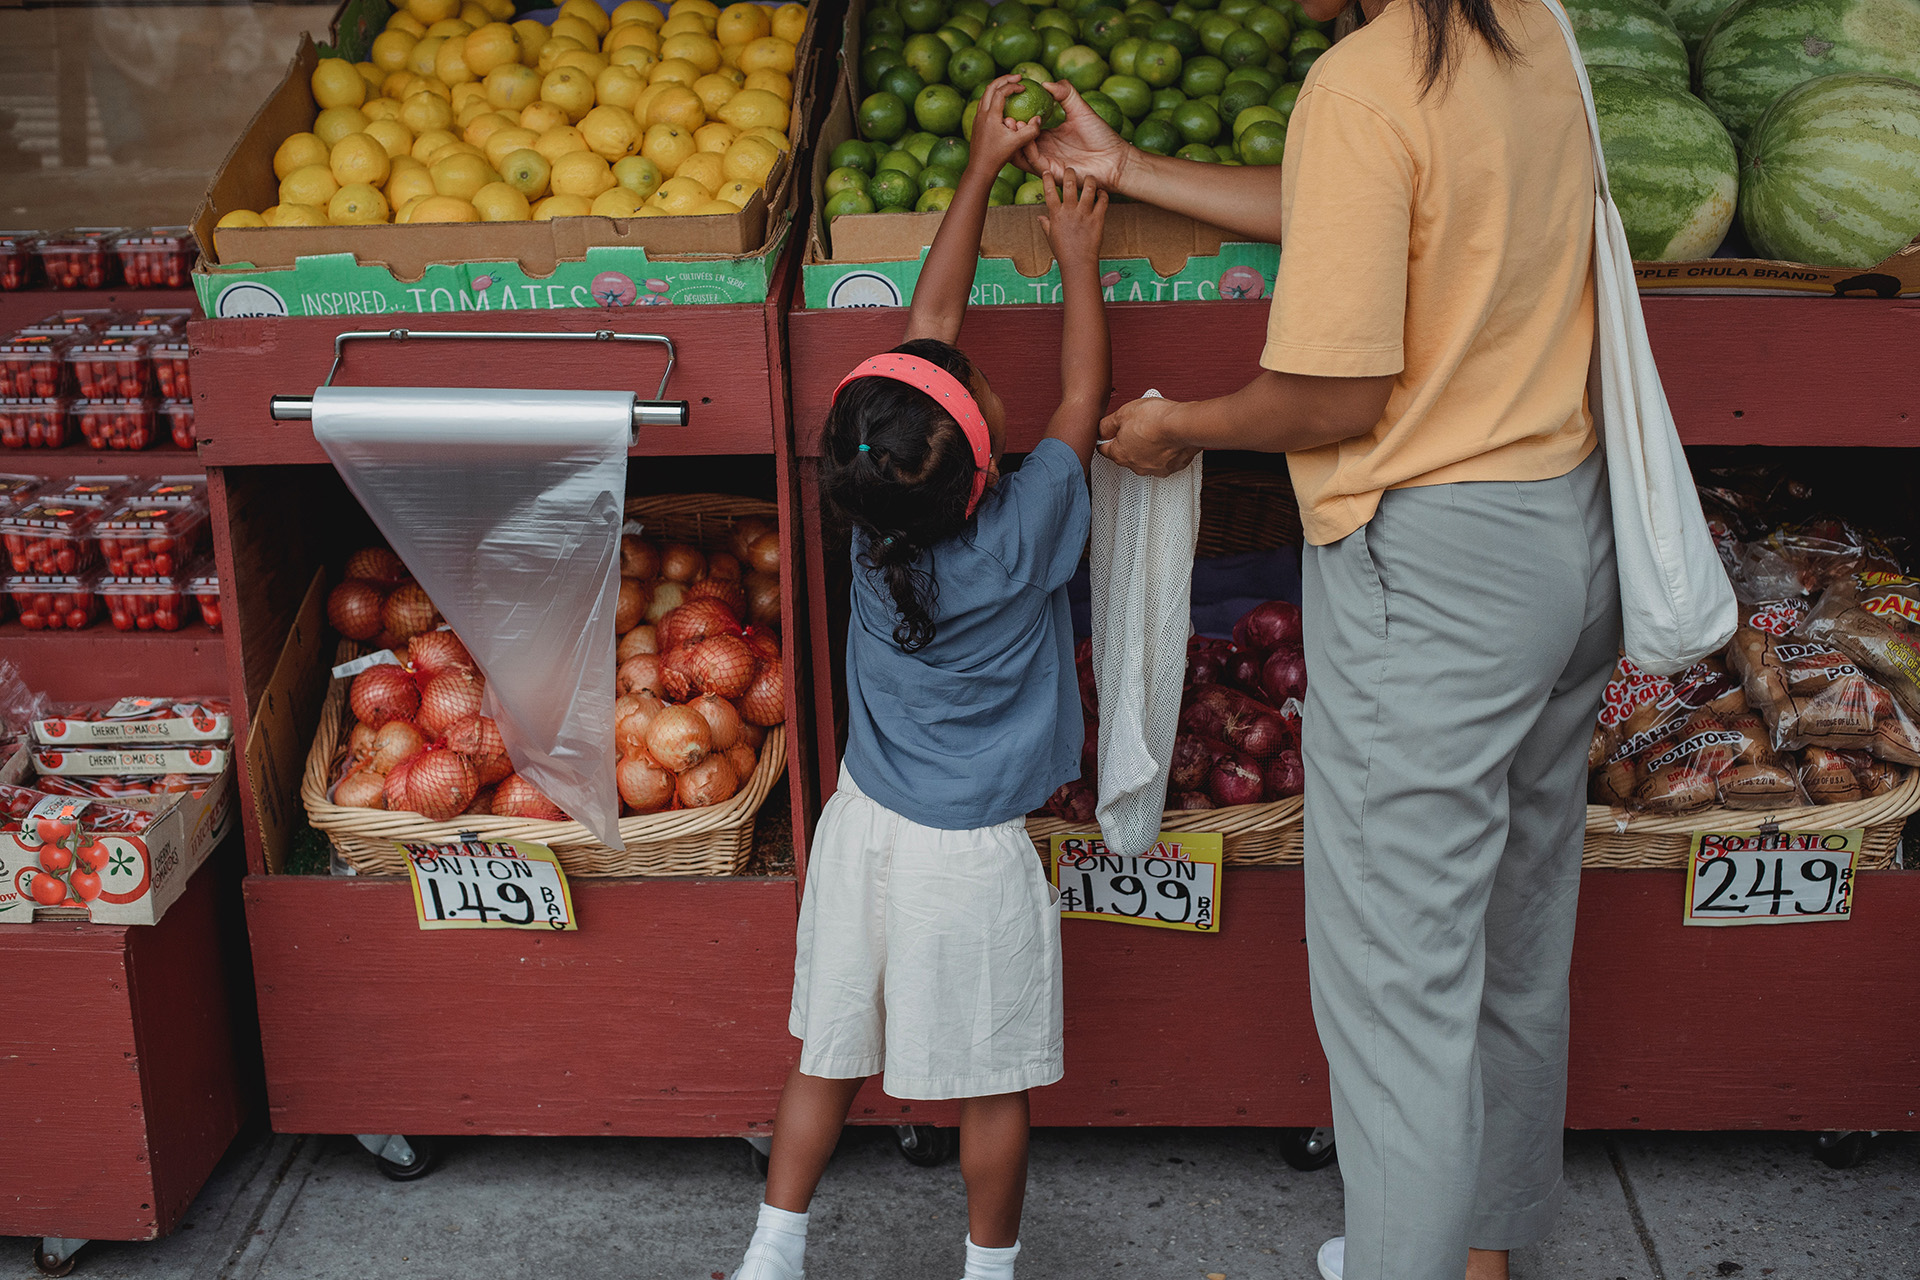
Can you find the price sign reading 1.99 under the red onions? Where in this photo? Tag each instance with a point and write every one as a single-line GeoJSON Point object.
{"type": "Point", "coordinates": [1176, 886]}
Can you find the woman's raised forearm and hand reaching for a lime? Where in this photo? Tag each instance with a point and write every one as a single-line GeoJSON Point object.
{"type": "Point", "coordinates": [1243, 201]}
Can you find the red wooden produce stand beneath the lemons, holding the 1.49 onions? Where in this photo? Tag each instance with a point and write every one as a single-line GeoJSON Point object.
{"type": "Point", "coordinates": [665, 1014]}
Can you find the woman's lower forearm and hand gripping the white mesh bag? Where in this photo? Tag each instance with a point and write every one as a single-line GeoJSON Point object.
{"type": "Point", "coordinates": [1274, 414]}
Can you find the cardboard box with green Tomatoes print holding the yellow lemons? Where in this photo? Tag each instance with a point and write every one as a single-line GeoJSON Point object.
{"type": "Point", "coordinates": [577, 262]}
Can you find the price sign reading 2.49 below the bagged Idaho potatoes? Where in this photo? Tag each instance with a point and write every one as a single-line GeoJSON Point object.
{"type": "Point", "coordinates": [1771, 878]}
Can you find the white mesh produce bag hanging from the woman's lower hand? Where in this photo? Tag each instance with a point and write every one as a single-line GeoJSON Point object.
{"type": "Point", "coordinates": [1143, 557]}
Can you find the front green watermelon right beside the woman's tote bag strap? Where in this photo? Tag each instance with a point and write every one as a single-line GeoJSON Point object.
{"type": "Point", "coordinates": [1669, 162]}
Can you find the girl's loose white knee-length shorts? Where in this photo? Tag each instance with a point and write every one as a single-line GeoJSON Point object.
{"type": "Point", "coordinates": [928, 955]}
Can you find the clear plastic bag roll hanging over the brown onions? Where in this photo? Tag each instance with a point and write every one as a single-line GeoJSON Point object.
{"type": "Point", "coordinates": [508, 510]}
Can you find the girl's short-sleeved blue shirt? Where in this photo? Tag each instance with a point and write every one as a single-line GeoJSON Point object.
{"type": "Point", "coordinates": [984, 724]}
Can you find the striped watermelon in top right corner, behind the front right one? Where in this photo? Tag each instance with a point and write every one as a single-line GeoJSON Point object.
{"type": "Point", "coordinates": [1762, 49]}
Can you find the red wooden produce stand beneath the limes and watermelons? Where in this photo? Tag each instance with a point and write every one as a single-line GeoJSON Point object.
{"type": "Point", "coordinates": [1673, 1028]}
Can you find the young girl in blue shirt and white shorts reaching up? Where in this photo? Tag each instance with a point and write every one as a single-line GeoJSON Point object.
{"type": "Point", "coordinates": [930, 945]}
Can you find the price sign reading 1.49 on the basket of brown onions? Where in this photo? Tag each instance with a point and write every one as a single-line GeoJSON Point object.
{"type": "Point", "coordinates": [489, 886]}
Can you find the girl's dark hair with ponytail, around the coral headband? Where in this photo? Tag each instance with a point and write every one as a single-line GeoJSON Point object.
{"type": "Point", "coordinates": [900, 471]}
